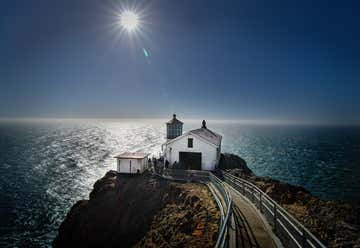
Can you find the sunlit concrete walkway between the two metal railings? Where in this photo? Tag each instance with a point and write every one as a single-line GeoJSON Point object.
{"type": "Point", "coordinates": [248, 228]}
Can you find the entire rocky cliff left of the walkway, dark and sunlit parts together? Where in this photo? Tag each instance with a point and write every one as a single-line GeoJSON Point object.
{"type": "Point", "coordinates": [141, 211]}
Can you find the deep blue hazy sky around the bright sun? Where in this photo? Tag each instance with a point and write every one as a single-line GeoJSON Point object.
{"type": "Point", "coordinates": [287, 60]}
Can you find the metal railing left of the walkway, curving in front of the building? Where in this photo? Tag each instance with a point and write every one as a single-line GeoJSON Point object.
{"type": "Point", "coordinates": [220, 193]}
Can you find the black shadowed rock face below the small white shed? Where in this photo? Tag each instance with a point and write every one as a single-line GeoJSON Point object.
{"type": "Point", "coordinates": [119, 210]}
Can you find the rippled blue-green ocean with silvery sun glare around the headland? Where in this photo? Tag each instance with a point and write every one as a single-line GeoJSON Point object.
{"type": "Point", "coordinates": [46, 166]}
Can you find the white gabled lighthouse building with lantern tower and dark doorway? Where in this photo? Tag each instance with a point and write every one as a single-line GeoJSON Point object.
{"type": "Point", "coordinates": [197, 149]}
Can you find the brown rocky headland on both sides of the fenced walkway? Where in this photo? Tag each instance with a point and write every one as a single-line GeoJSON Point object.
{"type": "Point", "coordinates": [148, 211]}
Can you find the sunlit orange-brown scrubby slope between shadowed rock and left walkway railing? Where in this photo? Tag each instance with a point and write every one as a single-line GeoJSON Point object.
{"type": "Point", "coordinates": [190, 219]}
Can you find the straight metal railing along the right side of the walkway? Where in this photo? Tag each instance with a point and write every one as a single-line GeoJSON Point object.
{"type": "Point", "coordinates": [290, 231]}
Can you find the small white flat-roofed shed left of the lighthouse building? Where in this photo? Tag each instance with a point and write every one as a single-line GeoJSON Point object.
{"type": "Point", "coordinates": [132, 163]}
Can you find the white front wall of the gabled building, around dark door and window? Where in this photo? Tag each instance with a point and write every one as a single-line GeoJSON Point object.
{"type": "Point", "coordinates": [209, 153]}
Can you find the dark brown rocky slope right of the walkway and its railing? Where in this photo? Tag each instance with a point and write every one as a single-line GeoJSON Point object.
{"type": "Point", "coordinates": [336, 223]}
